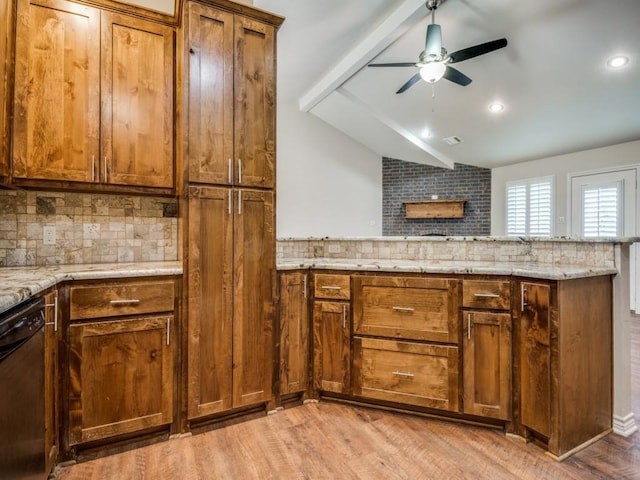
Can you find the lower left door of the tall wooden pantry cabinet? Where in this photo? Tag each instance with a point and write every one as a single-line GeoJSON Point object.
{"type": "Point", "coordinates": [210, 300]}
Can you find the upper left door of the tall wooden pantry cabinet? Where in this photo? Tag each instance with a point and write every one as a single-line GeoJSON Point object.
{"type": "Point", "coordinates": [210, 156]}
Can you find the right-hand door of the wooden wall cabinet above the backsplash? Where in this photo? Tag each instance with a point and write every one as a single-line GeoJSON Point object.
{"type": "Point", "coordinates": [137, 102]}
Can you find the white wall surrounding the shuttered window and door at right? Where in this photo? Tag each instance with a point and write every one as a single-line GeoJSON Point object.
{"type": "Point", "coordinates": [560, 167]}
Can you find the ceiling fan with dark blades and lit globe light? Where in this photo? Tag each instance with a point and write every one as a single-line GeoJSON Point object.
{"type": "Point", "coordinates": [435, 63]}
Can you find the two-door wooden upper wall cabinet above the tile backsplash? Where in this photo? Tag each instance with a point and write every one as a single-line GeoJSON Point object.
{"type": "Point", "coordinates": [93, 98]}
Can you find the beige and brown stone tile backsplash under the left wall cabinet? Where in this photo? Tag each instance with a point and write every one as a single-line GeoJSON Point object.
{"type": "Point", "coordinates": [89, 228]}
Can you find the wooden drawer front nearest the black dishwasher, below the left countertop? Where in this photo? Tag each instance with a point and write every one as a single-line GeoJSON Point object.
{"type": "Point", "coordinates": [121, 299]}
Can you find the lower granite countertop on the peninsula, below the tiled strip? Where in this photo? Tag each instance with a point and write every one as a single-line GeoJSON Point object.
{"type": "Point", "coordinates": [548, 272]}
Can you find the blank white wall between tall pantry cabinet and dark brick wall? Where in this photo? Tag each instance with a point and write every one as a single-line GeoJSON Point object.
{"type": "Point", "coordinates": [327, 184]}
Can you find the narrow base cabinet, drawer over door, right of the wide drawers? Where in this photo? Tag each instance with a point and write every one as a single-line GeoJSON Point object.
{"type": "Point", "coordinates": [486, 348]}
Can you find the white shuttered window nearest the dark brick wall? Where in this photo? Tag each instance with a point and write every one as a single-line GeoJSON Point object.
{"type": "Point", "coordinates": [530, 207]}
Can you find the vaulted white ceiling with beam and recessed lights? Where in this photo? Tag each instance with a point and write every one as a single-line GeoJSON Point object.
{"type": "Point", "coordinates": [559, 95]}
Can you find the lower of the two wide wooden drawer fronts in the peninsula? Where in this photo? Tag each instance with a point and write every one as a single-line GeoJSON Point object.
{"type": "Point", "coordinates": [410, 373]}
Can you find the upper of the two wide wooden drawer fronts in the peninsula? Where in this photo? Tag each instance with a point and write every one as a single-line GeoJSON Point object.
{"type": "Point", "coordinates": [410, 308]}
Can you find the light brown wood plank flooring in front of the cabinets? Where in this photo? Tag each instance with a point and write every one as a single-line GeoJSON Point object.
{"type": "Point", "coordinates": [333, 441]}
